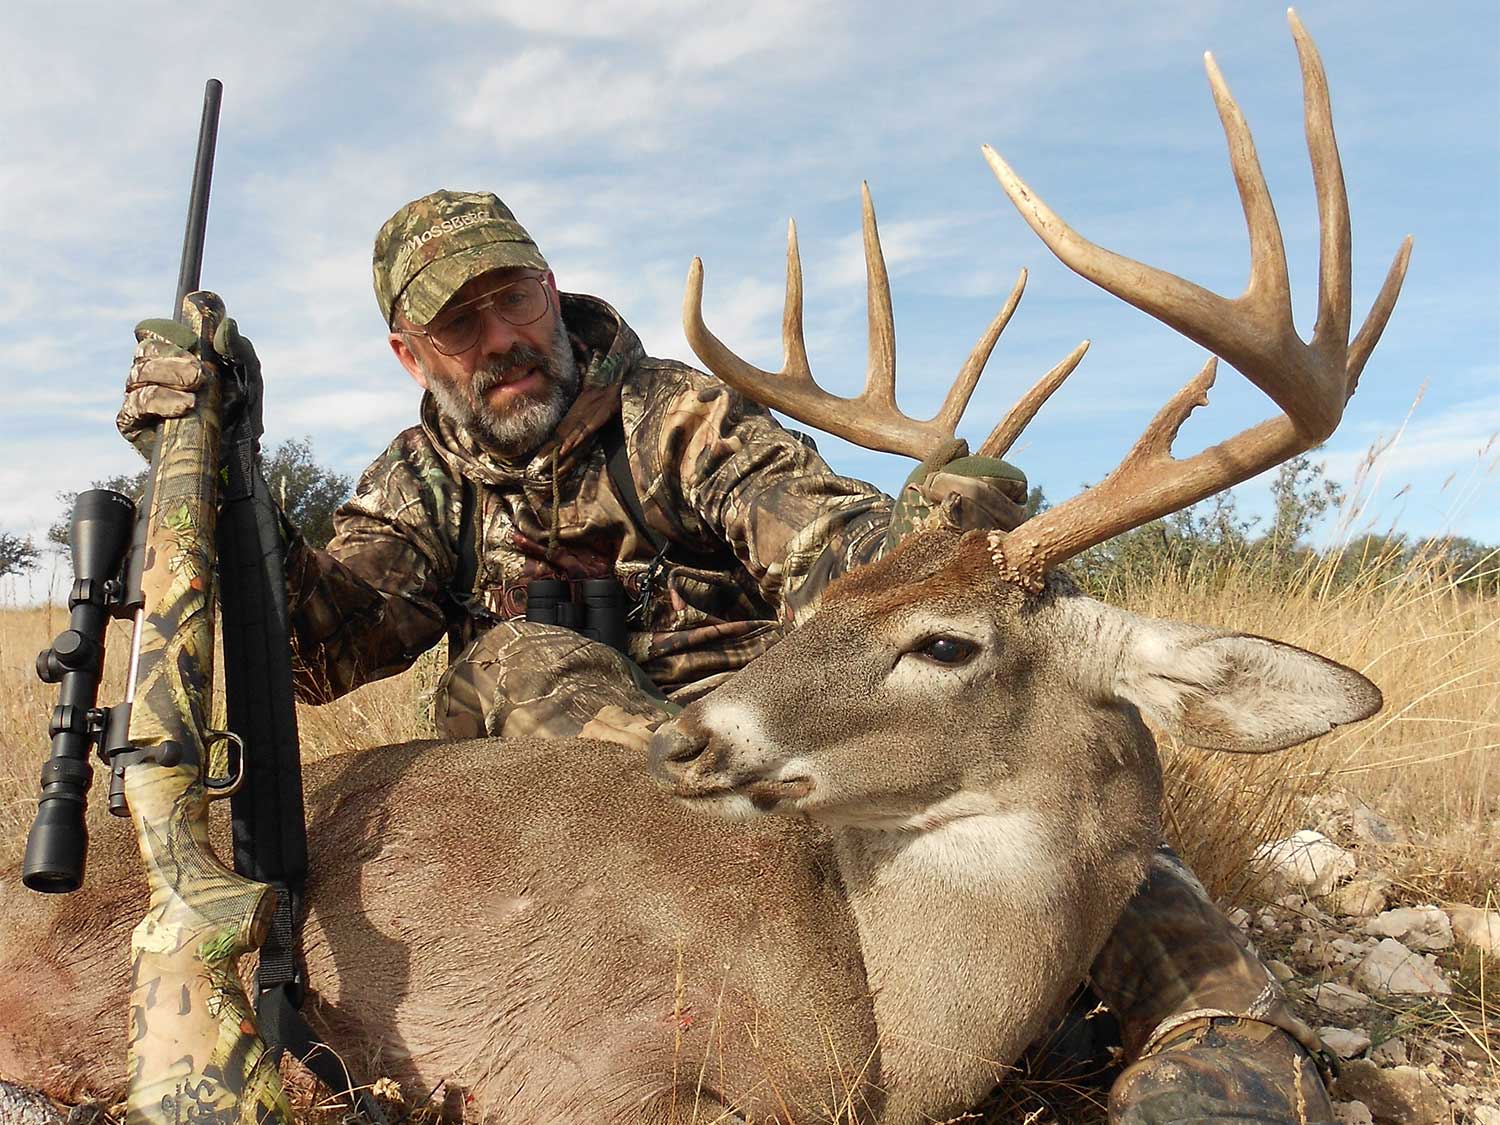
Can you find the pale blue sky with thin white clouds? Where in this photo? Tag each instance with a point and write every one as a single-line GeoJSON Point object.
{"type": "Point", "coordinates": [632, 137]}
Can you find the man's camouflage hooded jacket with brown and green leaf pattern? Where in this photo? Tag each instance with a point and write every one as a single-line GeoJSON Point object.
{"type": "Point", "coordinates": [755, 526]}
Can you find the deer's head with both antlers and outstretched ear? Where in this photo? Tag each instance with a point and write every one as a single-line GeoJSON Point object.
{"type": "Point", "coordinates": [982, 634]}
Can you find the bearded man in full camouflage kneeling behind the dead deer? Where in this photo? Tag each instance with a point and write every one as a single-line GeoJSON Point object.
{"type": "Point", "coordinates": [551, 446]}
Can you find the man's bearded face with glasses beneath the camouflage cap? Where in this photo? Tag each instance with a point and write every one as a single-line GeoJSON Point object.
{"type": "Point", "coordinates": [515, 382]}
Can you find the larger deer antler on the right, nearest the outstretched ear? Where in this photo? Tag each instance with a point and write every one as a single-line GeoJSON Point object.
{"type": "Point", "coordinates": [1253, 332]}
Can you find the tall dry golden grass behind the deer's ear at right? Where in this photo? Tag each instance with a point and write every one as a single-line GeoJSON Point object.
{"type": "Point", "coordinates": [1427, 761]}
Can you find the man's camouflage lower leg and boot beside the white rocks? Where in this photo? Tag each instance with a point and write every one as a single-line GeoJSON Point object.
{"type": "Point", "coordinates": [1205, 1027]}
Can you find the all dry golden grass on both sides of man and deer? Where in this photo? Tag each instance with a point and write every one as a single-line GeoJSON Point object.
{"type": "Point", "coordinates": [1427, 761]}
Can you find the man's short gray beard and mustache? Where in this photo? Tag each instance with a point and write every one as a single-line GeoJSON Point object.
{"type": "Point", "coordinates": [530, 421]}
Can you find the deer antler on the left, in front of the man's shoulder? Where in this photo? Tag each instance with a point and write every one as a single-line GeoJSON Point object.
{"type": "Point", "coordinates": [872, 419]}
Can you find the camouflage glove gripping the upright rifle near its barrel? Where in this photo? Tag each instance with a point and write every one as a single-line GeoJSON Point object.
{"type": "Point", "coordinates": [166, 373]}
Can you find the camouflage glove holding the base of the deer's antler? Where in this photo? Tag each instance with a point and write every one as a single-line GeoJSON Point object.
{"type": "Point", "coordinates": [964, 494]}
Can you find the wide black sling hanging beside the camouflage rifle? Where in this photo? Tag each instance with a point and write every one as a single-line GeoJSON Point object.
{"type": "Point", "coordinates": [269, 821]}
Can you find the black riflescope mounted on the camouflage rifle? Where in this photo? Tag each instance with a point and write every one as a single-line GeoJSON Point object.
{"type": "Point", "coordinates": [59, 842]}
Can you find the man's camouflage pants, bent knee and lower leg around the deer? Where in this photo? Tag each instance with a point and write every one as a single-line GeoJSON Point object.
{"type": "Point", "coordinates": [1172, 959]}
